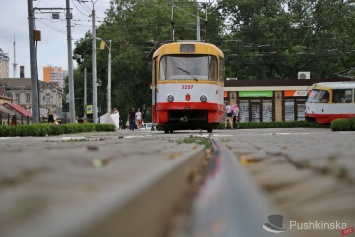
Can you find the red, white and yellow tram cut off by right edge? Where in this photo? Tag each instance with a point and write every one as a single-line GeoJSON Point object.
{"type": "Point", "coordinates": [330, 100]}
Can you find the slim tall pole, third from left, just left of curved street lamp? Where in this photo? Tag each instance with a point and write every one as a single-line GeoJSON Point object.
{"type": "Point", "coordinates": [94, 73]}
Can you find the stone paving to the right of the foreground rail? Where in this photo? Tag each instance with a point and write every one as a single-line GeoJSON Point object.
{"type": "Point", "coordinates": [308, 174]}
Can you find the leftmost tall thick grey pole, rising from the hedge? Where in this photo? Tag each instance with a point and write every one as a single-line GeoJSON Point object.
{"type": "Point", "coordinates": [34, 89]}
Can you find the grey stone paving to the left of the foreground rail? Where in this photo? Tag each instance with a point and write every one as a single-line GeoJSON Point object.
{"type": "Point", "coordinates": [43, 179]}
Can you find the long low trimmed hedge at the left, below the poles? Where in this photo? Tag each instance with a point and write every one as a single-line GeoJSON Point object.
{"type": "Point", "coordinates": [40, 130]}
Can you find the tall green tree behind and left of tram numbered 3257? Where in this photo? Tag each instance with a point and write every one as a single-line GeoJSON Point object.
{"type": "Point", "coordinates": [136, 28]}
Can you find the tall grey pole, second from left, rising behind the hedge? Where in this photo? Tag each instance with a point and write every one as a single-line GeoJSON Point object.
{"type": "Point", "coordinates": [70, 65]}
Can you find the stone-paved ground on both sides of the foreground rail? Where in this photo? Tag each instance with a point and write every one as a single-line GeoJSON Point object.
{"type": "Point", "coordinates": [307, 174]}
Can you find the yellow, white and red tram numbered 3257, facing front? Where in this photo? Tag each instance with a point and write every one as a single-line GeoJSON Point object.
{"type": "Point", "coordinates": [187, 86]}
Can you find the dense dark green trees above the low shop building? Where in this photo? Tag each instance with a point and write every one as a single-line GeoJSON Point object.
{"type": "Point", "coordinates": [267, 40]}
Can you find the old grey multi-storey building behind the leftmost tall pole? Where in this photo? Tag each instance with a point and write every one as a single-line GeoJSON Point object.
{"type": "Point", "coordinates": [19, 89]}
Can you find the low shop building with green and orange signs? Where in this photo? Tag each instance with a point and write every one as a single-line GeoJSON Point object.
{"type": "Point", "coordinates": [270, 100]}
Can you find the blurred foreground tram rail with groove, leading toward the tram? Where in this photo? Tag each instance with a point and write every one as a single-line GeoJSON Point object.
{"type": "Point", "coordinates": [228, 203]}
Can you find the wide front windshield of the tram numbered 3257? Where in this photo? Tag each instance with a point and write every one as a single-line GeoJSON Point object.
{"type": "Point", "coordinates": [188, 67]}
